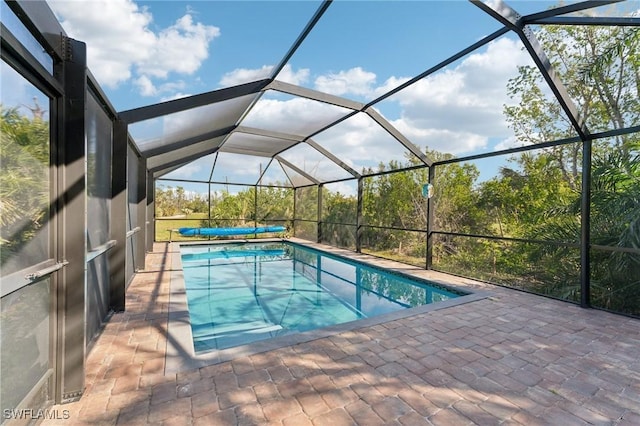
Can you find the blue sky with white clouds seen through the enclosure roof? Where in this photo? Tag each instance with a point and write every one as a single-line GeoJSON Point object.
{"type": "Point", "coordinates": [144, 52]}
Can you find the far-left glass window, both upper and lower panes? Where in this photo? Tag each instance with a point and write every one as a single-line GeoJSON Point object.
{"type": "Point", "coordinates": [24, 235]}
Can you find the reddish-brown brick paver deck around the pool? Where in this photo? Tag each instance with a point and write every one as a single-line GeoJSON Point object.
{"type": "Point", "coordinates": [512, 358]}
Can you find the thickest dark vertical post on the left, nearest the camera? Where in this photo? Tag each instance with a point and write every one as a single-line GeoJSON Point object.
{"type": "Point", "coordinates": [71, 244]}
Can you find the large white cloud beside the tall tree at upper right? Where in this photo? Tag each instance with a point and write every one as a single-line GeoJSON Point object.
{"type": "Point", "coordinates": [458, 110]}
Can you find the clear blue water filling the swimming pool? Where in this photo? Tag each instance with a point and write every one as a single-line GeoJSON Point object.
{"type": "Point", "coordinates": [239, 293]}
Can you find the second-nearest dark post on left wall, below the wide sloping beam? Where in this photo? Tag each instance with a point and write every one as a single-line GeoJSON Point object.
{"type": "Point", "coordinates": [118, 227]}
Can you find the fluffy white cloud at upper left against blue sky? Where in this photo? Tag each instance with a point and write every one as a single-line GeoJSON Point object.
{"type": "Point", "coordinates": [121, 45]}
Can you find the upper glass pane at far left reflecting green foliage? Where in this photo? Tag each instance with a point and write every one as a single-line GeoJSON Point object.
{"type": "Point", "coordinates": [24, 173]}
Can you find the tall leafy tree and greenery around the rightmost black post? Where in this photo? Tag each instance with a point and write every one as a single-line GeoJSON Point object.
{"type": "Point", "coordinates": [600, 68]}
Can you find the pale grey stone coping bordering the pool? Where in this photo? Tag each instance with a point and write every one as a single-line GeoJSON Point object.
{"type": "Point", "coordinates": [180, 355]}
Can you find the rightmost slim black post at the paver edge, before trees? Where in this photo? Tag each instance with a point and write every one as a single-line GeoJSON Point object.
{"type": "Point", "coordinates": [585, 227]}
